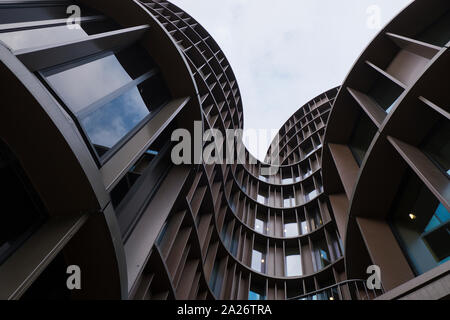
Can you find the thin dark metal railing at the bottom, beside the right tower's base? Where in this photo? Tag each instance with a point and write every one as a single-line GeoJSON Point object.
{"type": "Point", "coordinates": [347, 290]}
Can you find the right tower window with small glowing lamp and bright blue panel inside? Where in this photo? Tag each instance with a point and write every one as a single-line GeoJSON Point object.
{"type": "Point", "coordinates": [422, 225]}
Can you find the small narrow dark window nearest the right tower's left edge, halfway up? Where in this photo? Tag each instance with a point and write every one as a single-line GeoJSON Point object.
{"type": "Point", "coordinates": [362, 137]}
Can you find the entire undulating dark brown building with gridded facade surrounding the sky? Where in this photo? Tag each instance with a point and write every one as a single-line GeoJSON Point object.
{"type": "Point", "coordinates": [88, 181]}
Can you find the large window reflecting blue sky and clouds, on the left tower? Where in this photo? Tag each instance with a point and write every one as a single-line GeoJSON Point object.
{"type": "Point", "coordinates": [110, 94]}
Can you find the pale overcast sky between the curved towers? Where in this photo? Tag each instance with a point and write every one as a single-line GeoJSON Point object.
{"type": "Point", "coordinates": [286, 52]}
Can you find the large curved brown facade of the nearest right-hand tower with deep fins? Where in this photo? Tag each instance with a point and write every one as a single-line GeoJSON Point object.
{"type": "Point", "coordinates": [387, 156]}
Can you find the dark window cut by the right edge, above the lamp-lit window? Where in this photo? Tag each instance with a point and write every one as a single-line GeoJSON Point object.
{"type": "Point", "coordinates": [437, 146]}
